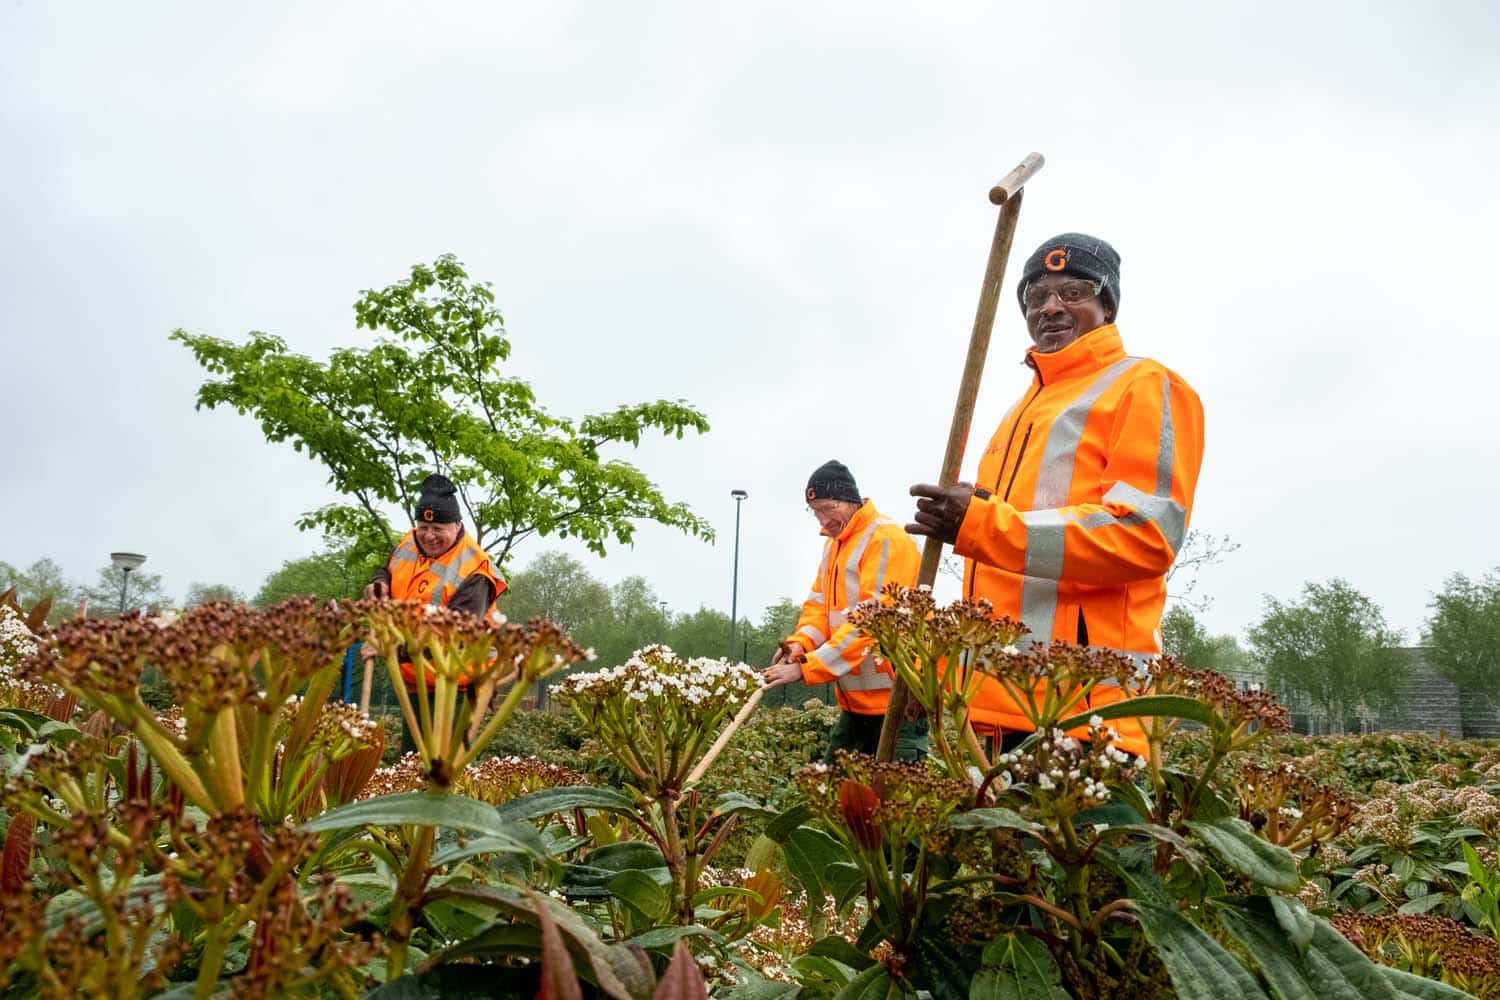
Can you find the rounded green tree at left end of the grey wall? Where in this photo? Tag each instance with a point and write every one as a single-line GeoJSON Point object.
{"type": "Point", "coordinates": [1331, 648]}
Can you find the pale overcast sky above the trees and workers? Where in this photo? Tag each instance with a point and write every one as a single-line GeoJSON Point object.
{"type": "Point", "coordinates": [776, 212]}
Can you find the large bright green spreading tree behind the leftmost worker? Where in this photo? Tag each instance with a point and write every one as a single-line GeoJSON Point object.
{"type": "Point", "coordinates": [431, 395]}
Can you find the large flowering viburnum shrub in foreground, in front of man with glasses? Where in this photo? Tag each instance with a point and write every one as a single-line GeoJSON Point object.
{"type": "Point", "coordinates": [1066, 866]}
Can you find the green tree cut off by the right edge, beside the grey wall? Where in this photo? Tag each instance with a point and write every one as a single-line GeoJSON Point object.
{"type": "Point", "coordinates": [1463, 635]}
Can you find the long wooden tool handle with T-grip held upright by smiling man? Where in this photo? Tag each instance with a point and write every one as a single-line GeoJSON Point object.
{"type": "Point", "coordinates": [1009, 197]}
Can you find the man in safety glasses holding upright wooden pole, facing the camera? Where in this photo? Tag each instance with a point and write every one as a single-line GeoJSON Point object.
{"type": "Point", "coordinates": [1085, 491]}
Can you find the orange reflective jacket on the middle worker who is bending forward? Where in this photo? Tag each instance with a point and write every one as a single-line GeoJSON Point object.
{"type": "Point", "coordinates": [871, 552]}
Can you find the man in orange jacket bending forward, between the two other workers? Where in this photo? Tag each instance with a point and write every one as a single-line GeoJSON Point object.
{"type": "Point", "coordinates": [863, 554]}
